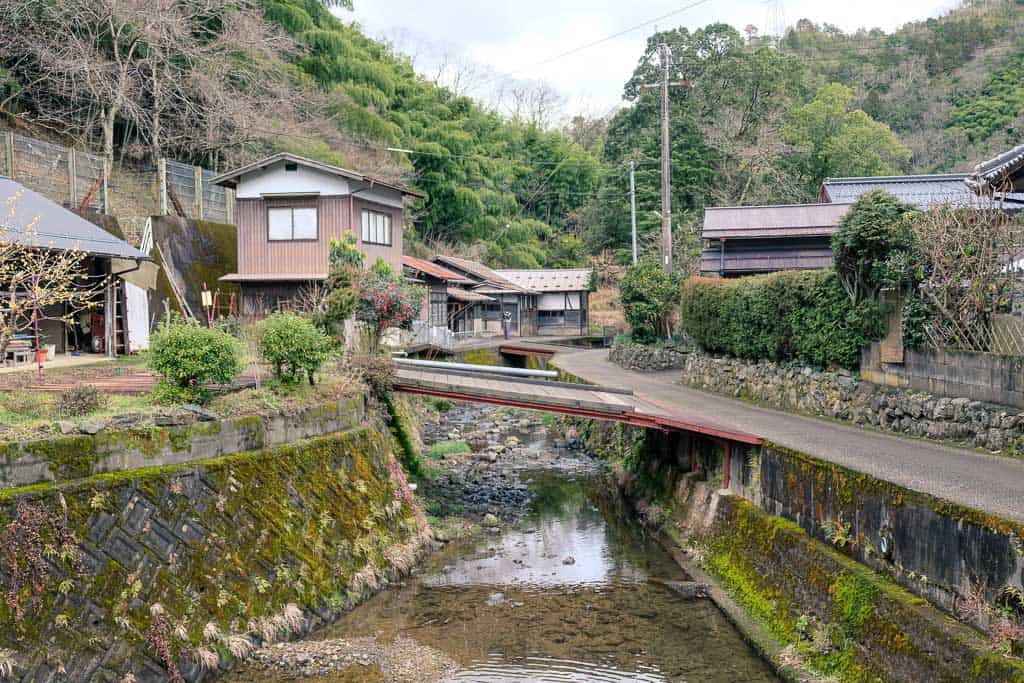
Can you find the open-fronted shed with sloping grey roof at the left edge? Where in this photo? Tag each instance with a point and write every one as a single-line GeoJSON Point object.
{"type": "Point", "coordinates": [29, 219]}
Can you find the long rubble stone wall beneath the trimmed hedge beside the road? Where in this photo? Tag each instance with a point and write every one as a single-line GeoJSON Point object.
{"type": "Point", "coordinates": [845, 397]}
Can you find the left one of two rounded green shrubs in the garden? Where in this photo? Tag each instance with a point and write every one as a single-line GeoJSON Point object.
{"type": "Point", "coordinates": [189, 356]}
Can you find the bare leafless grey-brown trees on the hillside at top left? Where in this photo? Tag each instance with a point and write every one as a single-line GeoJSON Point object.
{"type": "Point", "coordinates": [190, 77]}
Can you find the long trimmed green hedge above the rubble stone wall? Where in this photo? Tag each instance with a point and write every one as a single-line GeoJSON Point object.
{"type": "Point", "coordinates": [802, 316]}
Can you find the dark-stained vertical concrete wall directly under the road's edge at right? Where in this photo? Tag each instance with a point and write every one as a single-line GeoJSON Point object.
{"type": "Point", "coordinates": [940, 550]}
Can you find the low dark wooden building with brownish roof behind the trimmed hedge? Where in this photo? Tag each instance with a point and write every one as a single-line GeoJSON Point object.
{"type": "Point", "coordinates": [749, 240]}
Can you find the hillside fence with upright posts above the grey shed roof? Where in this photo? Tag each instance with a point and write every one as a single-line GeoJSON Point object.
{"type": "Point", "coordinates": [134, 193]}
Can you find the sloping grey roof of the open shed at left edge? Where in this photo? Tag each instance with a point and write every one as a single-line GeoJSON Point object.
{"type": "Point", "coordinates": [28, 218]}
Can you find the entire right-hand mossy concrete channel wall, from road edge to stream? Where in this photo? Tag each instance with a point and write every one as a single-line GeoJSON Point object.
{"type": "Point", "coordinates": [803, 542]}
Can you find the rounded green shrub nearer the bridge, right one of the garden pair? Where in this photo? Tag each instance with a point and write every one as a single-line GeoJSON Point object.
{"type": "Point", "coordinates": [293, 347]}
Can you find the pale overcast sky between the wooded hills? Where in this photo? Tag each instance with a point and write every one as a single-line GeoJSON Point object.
{"type": "Point", "coordinates": [513, 37]}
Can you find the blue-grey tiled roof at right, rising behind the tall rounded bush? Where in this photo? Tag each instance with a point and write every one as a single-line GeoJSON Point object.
{"type": "Point", "coordinates": [923, 192]}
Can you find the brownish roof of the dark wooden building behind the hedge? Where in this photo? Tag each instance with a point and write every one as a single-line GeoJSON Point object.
{"type": "Point", "coordinates": [773, 222]}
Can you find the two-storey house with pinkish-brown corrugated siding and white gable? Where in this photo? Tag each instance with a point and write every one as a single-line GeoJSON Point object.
{"type": "Point", "coordinates": [289, 208]}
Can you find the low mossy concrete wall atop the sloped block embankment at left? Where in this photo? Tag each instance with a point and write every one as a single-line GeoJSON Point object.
{"type": "Point", "coordinates": [111, 450]}
